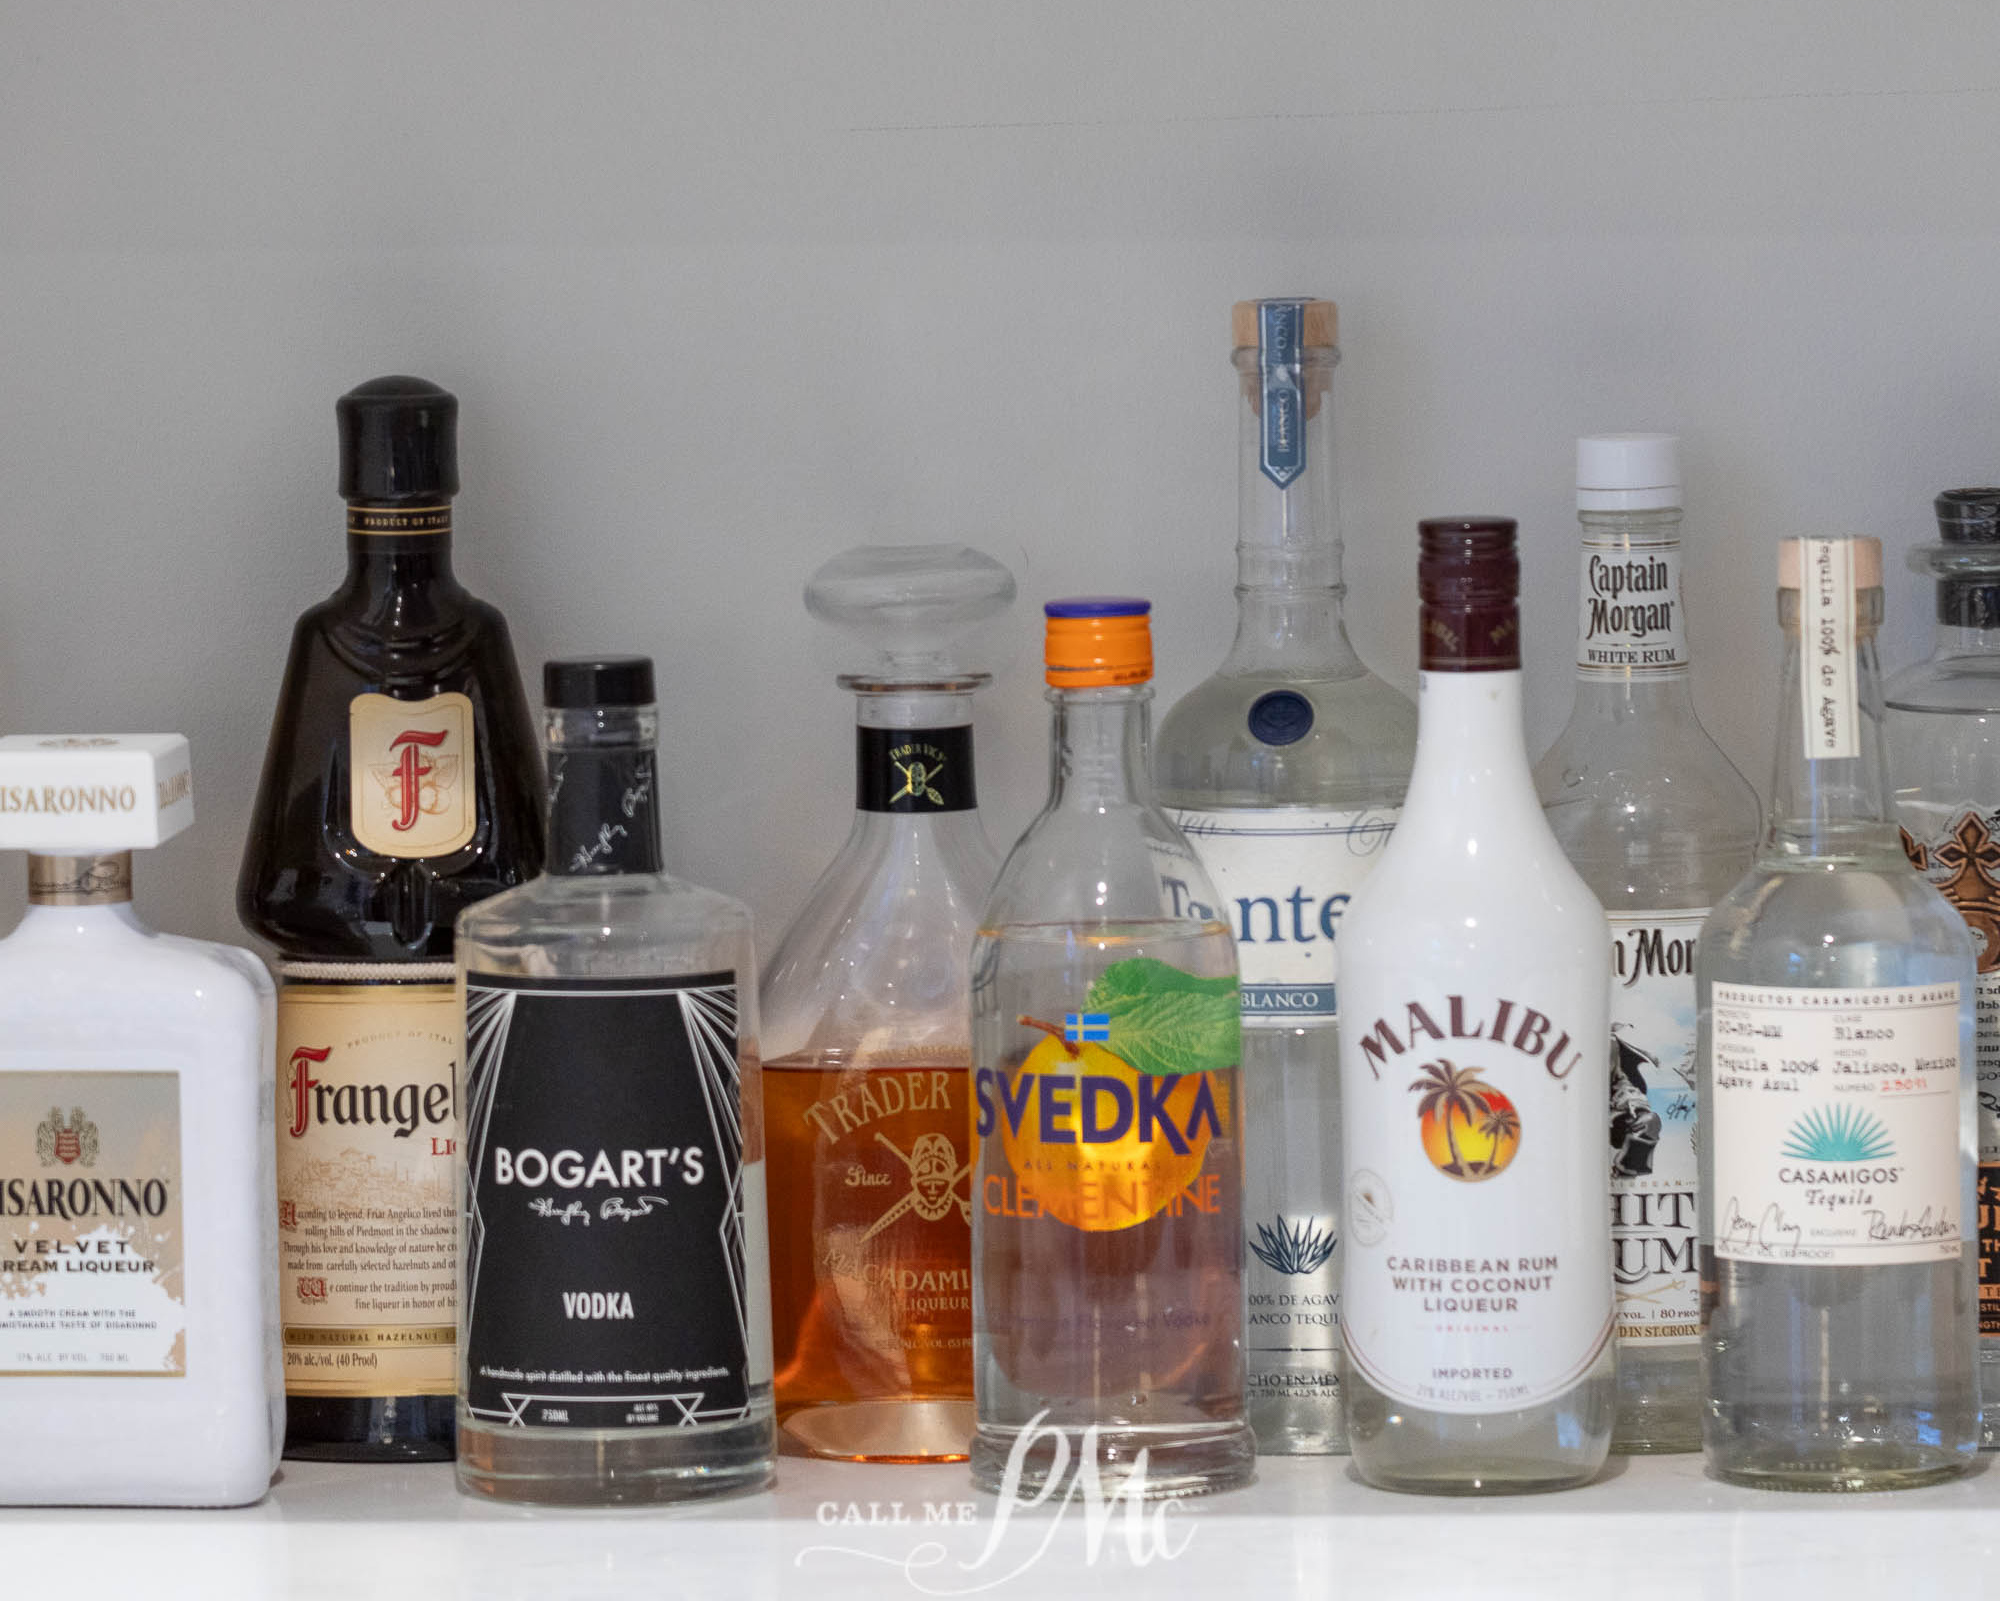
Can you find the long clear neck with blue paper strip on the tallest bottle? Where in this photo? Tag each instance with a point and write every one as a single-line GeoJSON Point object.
{"type": "Point", "coordinates": [1287, 517]}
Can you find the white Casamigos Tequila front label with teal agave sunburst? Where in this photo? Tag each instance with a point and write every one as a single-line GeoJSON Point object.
{"type": "Point", "coordinates": [1837, 1126]}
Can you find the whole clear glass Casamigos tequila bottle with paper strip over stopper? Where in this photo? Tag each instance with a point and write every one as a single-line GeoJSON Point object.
{"type": "Point", "coordinates": [1837, 1182]}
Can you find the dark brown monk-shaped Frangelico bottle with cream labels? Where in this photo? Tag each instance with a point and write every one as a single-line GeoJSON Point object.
{"type": "Point", "coordinates": [401, 787]}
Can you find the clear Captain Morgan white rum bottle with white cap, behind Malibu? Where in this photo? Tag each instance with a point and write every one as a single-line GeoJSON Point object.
{"type": "Point", "coordinates": [1659, 824]}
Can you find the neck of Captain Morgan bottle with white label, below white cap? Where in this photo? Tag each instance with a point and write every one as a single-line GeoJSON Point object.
{"type": "Point", "coordinates": [1631, 625]}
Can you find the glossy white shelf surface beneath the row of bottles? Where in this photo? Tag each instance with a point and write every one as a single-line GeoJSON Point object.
{"type": "Point", "coordinates": [1647, 1528]}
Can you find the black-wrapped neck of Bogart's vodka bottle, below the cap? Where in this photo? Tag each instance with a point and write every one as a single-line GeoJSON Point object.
{"type": "Point", "coordinates": [603, 804]}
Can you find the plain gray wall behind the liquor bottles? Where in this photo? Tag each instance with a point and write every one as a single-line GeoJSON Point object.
{"type": "Point", "coordinates": [725, 289]}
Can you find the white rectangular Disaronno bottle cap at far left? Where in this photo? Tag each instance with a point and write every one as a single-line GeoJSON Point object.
{"type": "Point", "coordinates": [71, 795]}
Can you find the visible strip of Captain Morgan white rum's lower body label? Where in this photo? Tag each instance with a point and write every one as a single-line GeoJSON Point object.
{"type": "Point", "coordinates": [1653, 1126]}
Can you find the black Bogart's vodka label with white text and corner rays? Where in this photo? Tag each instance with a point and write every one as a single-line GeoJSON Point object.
{"type": "Point", "coordinates": [605, 1204]}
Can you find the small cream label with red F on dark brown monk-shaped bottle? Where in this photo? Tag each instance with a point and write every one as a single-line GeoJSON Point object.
{"type": "Point", "coordinates": [411, 775]}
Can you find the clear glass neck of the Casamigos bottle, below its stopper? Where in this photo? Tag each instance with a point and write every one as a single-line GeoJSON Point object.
{"type": "Point", "coordinates": [1829, 787]}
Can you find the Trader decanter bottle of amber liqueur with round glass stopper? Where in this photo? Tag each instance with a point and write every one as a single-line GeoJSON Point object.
{"type": "Point", "coordinates": [867, 1036]}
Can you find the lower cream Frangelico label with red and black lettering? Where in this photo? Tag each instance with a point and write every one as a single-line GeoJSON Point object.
{"type": "Point", "coordinates": [367, 1206]}
